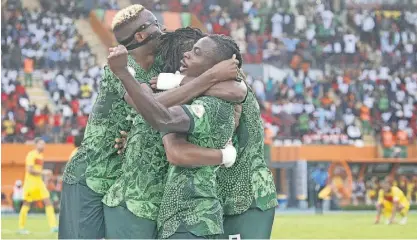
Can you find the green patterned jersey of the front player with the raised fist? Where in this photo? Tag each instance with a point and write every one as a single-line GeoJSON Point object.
{"type": "Point", "coordinates": [190, 197]}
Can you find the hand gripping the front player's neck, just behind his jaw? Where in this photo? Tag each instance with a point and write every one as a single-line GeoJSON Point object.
{"type": "Point", "coordinates": [226, 70]}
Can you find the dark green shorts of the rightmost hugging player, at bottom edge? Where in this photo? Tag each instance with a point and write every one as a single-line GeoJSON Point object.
{"type": "Point", "coordinates": [252, 224]}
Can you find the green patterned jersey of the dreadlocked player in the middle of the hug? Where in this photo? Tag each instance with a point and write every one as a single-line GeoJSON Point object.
{"type": "Point", "coordinates": [144, 168]}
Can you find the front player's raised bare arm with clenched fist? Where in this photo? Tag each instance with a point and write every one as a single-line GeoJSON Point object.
{"type": "Point", "coordinates": [161, 118]}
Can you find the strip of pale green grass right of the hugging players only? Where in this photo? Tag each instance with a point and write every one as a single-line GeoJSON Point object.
{"type": "Point", "coordinates": [341, 225]}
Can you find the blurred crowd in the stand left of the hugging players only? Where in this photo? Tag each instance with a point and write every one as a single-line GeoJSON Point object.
{"type": "Point", "coordinates": [45, 46]}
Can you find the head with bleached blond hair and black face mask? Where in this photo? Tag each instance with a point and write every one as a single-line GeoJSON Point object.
{"type": "Point", "coordinates": [134, 23]}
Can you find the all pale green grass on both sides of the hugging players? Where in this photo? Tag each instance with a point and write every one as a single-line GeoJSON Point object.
{"type": "Point", "coordinates": [340, 225]}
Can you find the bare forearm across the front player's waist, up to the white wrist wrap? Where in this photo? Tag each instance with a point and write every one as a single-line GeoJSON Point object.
{"type": "Point", "coordinates": [182, 153]}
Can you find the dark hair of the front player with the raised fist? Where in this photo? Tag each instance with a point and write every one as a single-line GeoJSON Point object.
{"type": "Point", "coordinates": [226, 47]}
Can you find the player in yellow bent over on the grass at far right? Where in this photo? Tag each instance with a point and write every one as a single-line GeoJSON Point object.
{"type": "Point", "coordinates": [390, 201]}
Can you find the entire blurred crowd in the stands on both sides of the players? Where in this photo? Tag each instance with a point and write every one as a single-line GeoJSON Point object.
{"type": "Point", "coordinates": [350, 77]}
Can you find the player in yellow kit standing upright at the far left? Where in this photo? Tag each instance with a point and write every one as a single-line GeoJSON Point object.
{"type": "Point", "coordinates": [34, 188]}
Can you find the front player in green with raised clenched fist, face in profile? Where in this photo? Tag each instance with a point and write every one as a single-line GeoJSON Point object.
{"type": "Point", "coordinates": [190, 206]}
